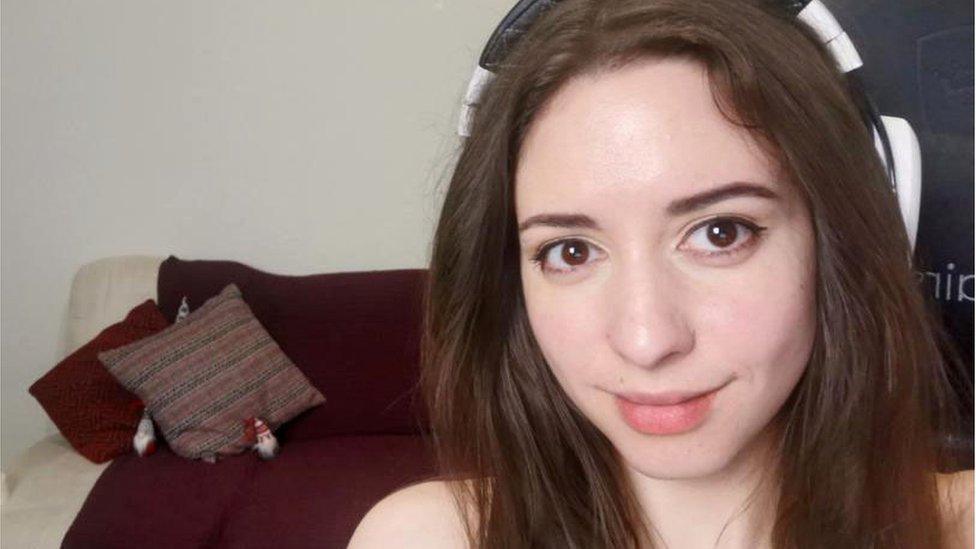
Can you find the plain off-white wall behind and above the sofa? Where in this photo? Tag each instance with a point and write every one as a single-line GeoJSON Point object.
{"type": "Point", "coordinates": [298, 136]}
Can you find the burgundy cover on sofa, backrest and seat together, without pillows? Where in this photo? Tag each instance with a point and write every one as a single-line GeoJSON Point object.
{"type": "Point", "coordinates": [356, 336]}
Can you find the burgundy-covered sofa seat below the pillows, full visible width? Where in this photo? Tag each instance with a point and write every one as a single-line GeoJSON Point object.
{"type": "Point", "coordinates": [312, 495]}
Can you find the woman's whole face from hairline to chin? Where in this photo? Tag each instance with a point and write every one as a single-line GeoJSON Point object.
{"type": "Point", "coordinates": [648, 282]}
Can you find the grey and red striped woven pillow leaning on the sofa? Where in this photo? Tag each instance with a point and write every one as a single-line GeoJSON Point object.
{"type": "Point", "coordinates": [204, 376]}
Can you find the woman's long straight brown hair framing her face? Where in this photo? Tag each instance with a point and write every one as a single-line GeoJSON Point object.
{"type": "Point", "coordinates": [860, 442]}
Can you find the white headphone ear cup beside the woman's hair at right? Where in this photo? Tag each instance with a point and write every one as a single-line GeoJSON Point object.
{"type": "Point", "coordinates": [907, 169]}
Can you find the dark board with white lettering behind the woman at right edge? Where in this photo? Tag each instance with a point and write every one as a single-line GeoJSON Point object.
{"type": "Point", "coordinates": [918, 65]}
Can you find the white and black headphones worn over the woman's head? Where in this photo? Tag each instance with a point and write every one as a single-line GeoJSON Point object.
{"type": "Point", "coordinates": [894, 139]}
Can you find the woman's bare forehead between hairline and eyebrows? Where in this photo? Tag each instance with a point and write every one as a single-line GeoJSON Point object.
{"type": "Point", "coordinates": [646, 133]}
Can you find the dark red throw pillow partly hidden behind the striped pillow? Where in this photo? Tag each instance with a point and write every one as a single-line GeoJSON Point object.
{"type": "Point", "coordinates": [91, 409]}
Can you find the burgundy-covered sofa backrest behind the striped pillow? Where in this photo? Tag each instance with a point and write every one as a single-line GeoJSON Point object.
{"type": "Point", "coordinates": [355, 335]}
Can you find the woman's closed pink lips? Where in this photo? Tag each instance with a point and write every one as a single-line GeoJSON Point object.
{"type": "Point", "coordinates": [665, 413]}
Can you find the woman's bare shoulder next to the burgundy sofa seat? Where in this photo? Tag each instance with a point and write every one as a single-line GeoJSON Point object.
{"type": "Point", "coordinates": [419, 516]}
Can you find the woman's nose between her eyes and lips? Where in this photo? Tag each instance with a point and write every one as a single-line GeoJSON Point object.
{"type": "Point", "coordinates": [647, 326]}
